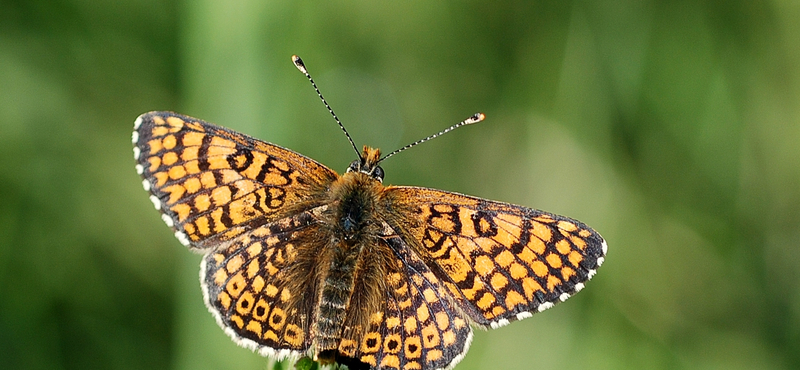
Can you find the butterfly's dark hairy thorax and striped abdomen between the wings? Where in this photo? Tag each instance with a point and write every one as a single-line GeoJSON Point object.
{"type": "Point", "coordinates": [353, 262]}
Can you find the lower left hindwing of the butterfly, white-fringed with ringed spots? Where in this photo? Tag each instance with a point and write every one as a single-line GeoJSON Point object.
{"type": "Point", "coordinates": [260, 286]}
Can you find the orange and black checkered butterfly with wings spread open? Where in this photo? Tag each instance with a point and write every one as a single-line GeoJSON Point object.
{"type": "Point", "coordinates": [299, 260]}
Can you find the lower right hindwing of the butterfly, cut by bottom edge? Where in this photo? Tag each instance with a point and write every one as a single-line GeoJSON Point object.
{"type": "Point", "coordinates": [419, 326]}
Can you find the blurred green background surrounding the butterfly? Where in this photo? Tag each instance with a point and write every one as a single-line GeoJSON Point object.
{"type": "Point", "coordinates": [672, 127]}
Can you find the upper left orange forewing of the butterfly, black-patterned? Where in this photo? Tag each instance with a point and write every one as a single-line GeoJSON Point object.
{"type": "Point", "coordinates": [212, 184]}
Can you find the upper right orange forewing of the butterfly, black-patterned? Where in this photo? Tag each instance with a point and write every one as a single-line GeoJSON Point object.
{"type": "Point", "coordinates": [499, 261]}
